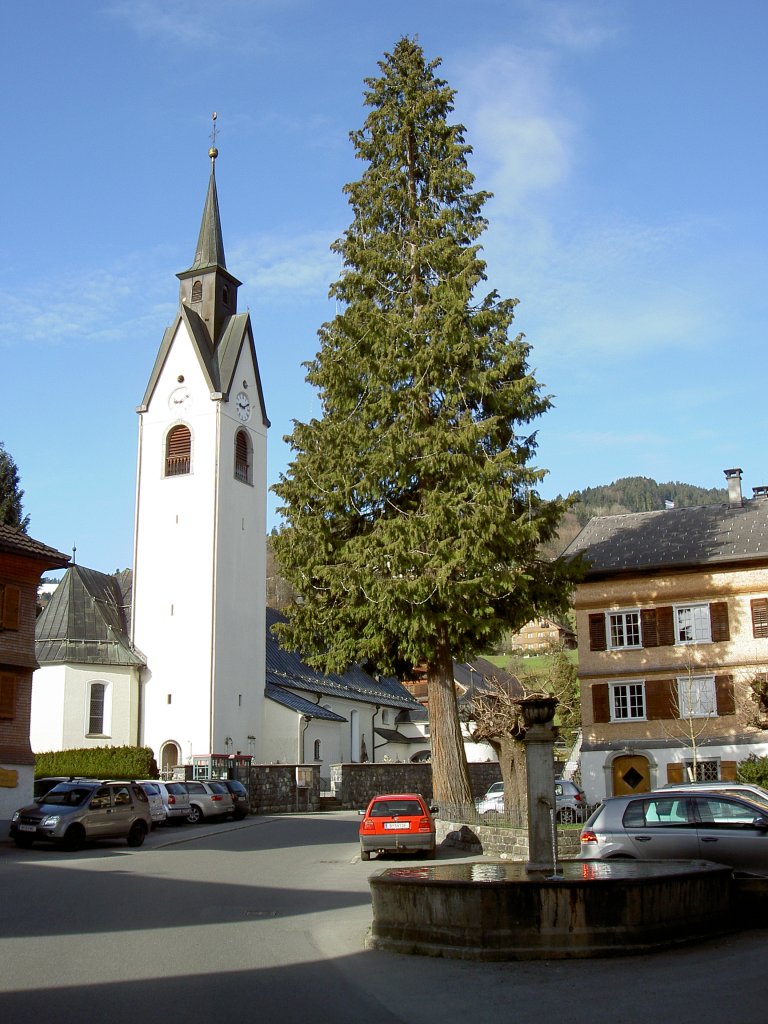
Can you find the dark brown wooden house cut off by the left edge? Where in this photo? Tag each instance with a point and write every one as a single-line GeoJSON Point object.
{"type": "Point", "coordinates": [23, 561]}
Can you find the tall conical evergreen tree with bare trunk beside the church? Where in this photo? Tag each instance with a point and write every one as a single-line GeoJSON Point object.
{"type": "Point", "coordinates": [412, 519]}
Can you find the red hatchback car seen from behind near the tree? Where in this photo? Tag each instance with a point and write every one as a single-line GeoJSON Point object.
{"type": "Point", "coordinates": [398, 822]}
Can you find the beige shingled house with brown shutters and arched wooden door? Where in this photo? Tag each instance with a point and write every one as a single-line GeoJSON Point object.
{"type": "Point", "coordinates": [672, 619]}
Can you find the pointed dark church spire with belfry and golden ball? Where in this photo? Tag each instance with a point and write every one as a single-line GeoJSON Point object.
{"type": "Point", "coordinates": [207, 287]}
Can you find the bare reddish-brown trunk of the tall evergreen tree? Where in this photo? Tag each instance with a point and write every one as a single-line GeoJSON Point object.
{"type": "Point", "coordinates": [450, 772]}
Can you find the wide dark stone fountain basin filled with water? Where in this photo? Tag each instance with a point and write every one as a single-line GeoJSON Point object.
{"type": "Point", "coordinates": [498, 911]}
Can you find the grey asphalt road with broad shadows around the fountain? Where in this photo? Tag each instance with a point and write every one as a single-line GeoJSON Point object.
{"type": "Point", "coordinates": [265, 921]}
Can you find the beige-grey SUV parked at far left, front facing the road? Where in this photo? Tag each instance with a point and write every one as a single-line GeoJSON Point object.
{"type": "Point", "coordinates": [84, 809]}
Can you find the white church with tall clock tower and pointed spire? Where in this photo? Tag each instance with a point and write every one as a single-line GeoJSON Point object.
{"type": "Point", "coordinates": [178, 655]}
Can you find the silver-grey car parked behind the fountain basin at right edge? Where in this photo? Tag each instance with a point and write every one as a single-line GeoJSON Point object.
{"type": "Point", "coordinates": [704, 825]}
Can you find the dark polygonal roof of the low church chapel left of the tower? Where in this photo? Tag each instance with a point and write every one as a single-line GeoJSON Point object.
{"type": "Point", "coordinates": [87, 621]}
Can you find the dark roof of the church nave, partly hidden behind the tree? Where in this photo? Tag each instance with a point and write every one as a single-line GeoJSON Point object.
{"type": "Point", "coordinates": [286, 669]}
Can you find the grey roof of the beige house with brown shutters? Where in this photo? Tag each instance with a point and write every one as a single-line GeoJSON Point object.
{"type": "Point", "coordinates": [674, 539]}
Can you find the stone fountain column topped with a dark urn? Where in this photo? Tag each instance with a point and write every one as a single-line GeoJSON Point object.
{"type": "Point", "coordinates": [538, 713]}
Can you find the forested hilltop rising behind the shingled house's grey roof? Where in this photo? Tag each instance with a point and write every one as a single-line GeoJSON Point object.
{"type": "Point", "coordinates": [631, 494]}
